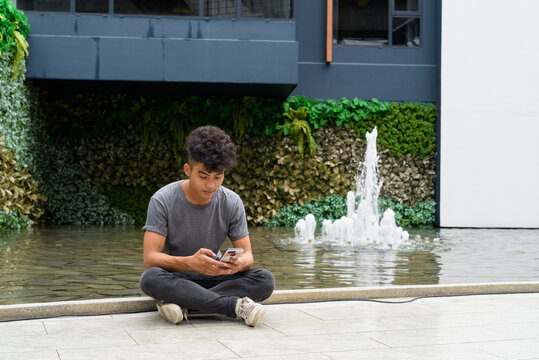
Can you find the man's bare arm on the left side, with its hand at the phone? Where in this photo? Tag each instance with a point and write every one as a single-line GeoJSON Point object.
{"type": "Point", "coordinates": [200, 262]}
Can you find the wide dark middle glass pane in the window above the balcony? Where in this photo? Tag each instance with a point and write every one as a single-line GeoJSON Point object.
{"type": "Point", "coordinates": [163, 7]}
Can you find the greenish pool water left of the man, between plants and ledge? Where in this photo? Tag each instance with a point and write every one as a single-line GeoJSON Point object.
{"type": "Point", "coordinates": [69, 263]}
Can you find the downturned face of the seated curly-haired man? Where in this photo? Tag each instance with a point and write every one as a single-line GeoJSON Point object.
{"type": "Point", "coordinates": [203, 183]}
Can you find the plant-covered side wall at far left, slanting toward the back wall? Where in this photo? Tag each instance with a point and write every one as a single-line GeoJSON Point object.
{"type": "Point", "coordinates": [36, 176]}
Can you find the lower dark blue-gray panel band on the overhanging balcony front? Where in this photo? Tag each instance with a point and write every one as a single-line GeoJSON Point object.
{"type": "Point", "coordinates": [151, 59]}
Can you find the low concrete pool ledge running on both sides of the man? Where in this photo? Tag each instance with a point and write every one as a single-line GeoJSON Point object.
{"type": "Point", "coordinates": [141, 304]}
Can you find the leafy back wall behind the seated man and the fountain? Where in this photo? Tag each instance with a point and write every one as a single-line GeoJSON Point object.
{"type": "Point", "coordinates": [305, 152]}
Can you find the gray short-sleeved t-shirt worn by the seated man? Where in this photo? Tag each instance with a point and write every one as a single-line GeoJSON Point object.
{"type": "Point", "coordinates": [189, 227]}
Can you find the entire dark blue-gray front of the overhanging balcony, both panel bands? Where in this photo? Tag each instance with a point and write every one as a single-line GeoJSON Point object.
{"type": "Point", "coordinates": [102, 47]}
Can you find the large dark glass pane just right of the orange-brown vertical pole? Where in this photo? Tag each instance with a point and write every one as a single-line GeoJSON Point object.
{"type": "Point", "coordinates": [362, 22]}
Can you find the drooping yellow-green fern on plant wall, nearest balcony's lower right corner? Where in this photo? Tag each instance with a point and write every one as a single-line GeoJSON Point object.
{"type": "Point", "coordinates": [298, 127]}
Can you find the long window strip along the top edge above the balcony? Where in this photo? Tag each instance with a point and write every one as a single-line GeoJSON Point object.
{"type": "Point", "coordinates": [210, 8]}
